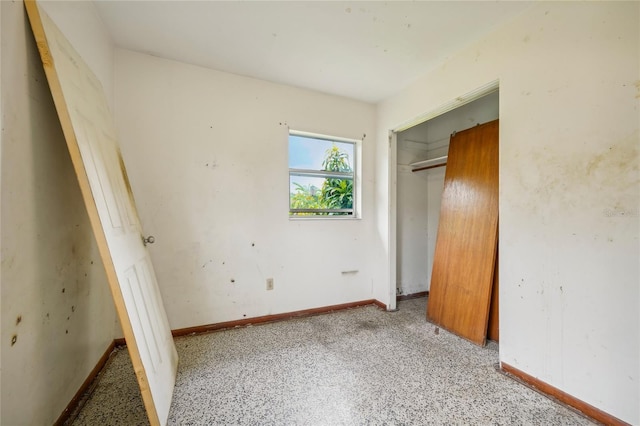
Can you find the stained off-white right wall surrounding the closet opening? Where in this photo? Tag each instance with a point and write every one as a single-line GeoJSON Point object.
{"type": "Point", "coordinates": [569, 199]}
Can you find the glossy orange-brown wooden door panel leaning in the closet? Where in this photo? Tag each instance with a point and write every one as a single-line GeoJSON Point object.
{"type": "Point", "coordinates": [465, 253]}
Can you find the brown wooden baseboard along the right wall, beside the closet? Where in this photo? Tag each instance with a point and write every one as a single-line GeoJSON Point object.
{"type": "Point", "coordinates": [563, 397]}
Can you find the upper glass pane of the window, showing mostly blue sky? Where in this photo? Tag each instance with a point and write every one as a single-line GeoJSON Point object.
{"type": "Point", "coordinates": [311, 153]}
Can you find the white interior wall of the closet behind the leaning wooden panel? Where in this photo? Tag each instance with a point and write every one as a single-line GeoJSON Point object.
{"type": "Point", "coordinates": [420, 193]}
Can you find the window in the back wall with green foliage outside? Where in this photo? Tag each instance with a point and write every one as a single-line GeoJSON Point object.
{"type": "Point", "coordinates": [321, 175]}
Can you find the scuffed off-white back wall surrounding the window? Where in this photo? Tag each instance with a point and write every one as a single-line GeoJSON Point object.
{"type": "Point", "coordinates": [207, 158]}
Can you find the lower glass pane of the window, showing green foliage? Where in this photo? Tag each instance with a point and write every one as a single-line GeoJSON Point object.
{"type": "Point", "coordinates": [307, 192]}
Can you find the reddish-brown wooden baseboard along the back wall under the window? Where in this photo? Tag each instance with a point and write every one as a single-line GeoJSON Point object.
{"type": "Point", "coordinates": [273, 318]}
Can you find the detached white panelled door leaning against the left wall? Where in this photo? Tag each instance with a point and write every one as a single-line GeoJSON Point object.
{"type": "Point", "coordinates": [91, 139]}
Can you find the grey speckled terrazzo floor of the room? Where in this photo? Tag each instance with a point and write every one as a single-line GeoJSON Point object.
{"type": "Point", "coordinates": [362, 366]}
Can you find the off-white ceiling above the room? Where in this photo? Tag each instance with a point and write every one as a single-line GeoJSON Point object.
{"type": "Point", "coordinates": [359, 49]}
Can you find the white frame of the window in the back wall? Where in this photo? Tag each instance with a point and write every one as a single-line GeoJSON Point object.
{"type": "Point", "coordinates": [294, 214]}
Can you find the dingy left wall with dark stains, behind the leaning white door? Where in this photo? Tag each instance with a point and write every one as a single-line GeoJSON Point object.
{"type": "Point", "coordinates": [55, 298]}
